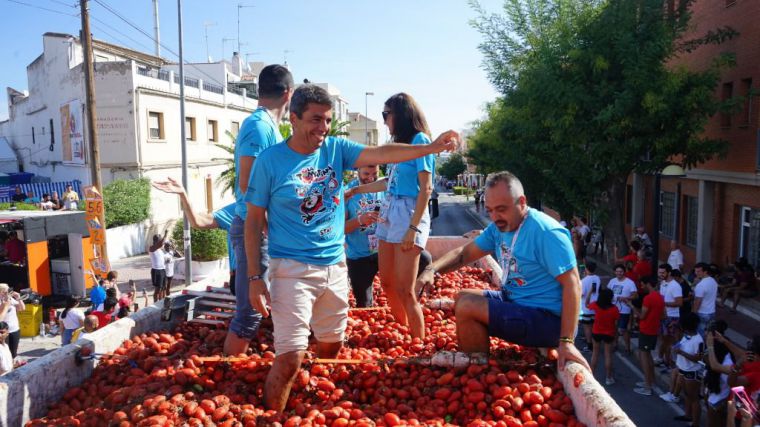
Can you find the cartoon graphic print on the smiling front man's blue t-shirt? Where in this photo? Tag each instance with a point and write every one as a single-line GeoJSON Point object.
{"type": "Point", "coordinates": [317, 192]}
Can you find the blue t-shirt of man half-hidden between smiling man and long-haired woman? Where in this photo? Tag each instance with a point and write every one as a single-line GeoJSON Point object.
{"type": "Point", "coordinates": [362, 242]}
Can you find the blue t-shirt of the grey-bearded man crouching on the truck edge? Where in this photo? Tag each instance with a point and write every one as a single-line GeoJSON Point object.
{"type": "Point", "coordinates": [542, 252]}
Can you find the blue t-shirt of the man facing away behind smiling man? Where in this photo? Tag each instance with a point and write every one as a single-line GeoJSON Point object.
{"type": "Point", "coordinates": [258, 133]}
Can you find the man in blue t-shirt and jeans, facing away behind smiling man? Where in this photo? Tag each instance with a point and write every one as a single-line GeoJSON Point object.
{"type": "Point", "coordinates": [258, 132]}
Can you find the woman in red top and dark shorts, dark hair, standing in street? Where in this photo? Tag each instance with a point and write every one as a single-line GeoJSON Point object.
{"type": "Point", "coordinates": [606, 316]}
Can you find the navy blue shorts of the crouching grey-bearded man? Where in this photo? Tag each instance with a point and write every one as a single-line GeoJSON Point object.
{"type": "Point", "coordinates": [518, 324]}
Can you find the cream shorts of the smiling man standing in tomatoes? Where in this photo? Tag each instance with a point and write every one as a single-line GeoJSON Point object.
{"type": "Point", "coordinates": [307, 297]}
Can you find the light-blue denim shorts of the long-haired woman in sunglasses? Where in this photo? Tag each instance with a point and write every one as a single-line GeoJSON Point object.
{"type": "Point", "coordinates": [397, 213]}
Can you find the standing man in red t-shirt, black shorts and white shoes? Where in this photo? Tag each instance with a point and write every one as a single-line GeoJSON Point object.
{"type": "Point", "coordinates": [650, 315]}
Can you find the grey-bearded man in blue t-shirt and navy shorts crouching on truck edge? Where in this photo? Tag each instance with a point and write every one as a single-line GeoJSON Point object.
{"type": "Point", "coordinates": [539, 300]}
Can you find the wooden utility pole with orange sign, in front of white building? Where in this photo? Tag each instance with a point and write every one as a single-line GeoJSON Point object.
{"type": "Point", "coordinates": [85, 38]}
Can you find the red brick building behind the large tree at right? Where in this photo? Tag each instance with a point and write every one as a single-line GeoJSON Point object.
{"type": "Point", "coordinates": [714, 212]}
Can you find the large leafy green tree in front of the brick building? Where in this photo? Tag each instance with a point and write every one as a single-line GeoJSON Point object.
{"type": "Point", "coordinates": [589, 94]}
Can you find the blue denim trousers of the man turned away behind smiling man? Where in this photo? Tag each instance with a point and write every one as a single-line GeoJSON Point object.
{"type": "Point", "coordinates": [245, 324]}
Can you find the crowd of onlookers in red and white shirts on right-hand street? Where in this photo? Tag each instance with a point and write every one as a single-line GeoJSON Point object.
{"type": "Point", "coordinates": [674, 315]}
